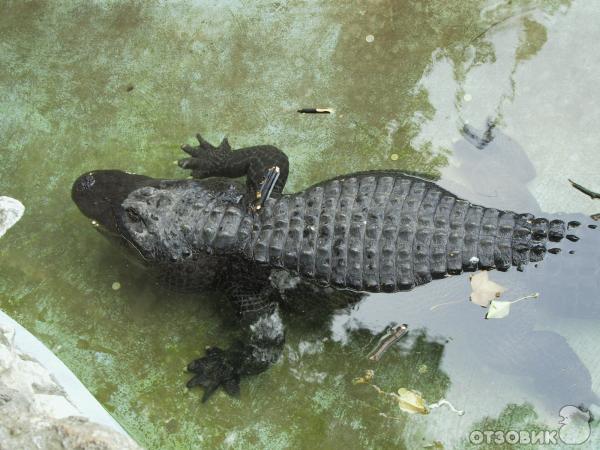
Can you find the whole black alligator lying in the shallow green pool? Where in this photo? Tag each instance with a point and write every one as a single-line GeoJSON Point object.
{"type": "Point", "coordinates": [375, 231]}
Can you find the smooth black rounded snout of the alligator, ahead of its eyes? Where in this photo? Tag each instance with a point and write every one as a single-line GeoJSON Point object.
{"type": "Point", "coordinates": [100, 194]}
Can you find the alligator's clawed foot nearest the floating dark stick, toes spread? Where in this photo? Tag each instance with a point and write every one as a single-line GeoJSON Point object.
{"type": "Point", "coordinates": [205, 157]}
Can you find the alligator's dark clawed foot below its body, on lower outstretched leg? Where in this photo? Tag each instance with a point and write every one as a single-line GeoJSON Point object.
{"type": "Point", "coordinates": [216, 369]}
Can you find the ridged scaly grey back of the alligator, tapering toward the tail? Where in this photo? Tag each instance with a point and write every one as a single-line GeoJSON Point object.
{"type": "Point", "coordinates": [388, 231]}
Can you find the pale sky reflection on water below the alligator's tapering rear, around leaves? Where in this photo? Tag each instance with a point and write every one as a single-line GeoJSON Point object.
{"type": "Point", "coordinates": [525, 357]}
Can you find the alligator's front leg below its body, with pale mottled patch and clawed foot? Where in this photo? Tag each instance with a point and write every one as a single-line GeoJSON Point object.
{"type": "Point", "coordinates": [254, 300]}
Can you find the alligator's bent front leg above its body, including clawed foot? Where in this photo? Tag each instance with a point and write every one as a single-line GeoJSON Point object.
{"type": "Point", "coordinates": [252, 162]}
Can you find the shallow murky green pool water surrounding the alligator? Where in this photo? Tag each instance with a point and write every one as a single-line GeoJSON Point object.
{"type": "Point", "coordinates": [121, 85]}
